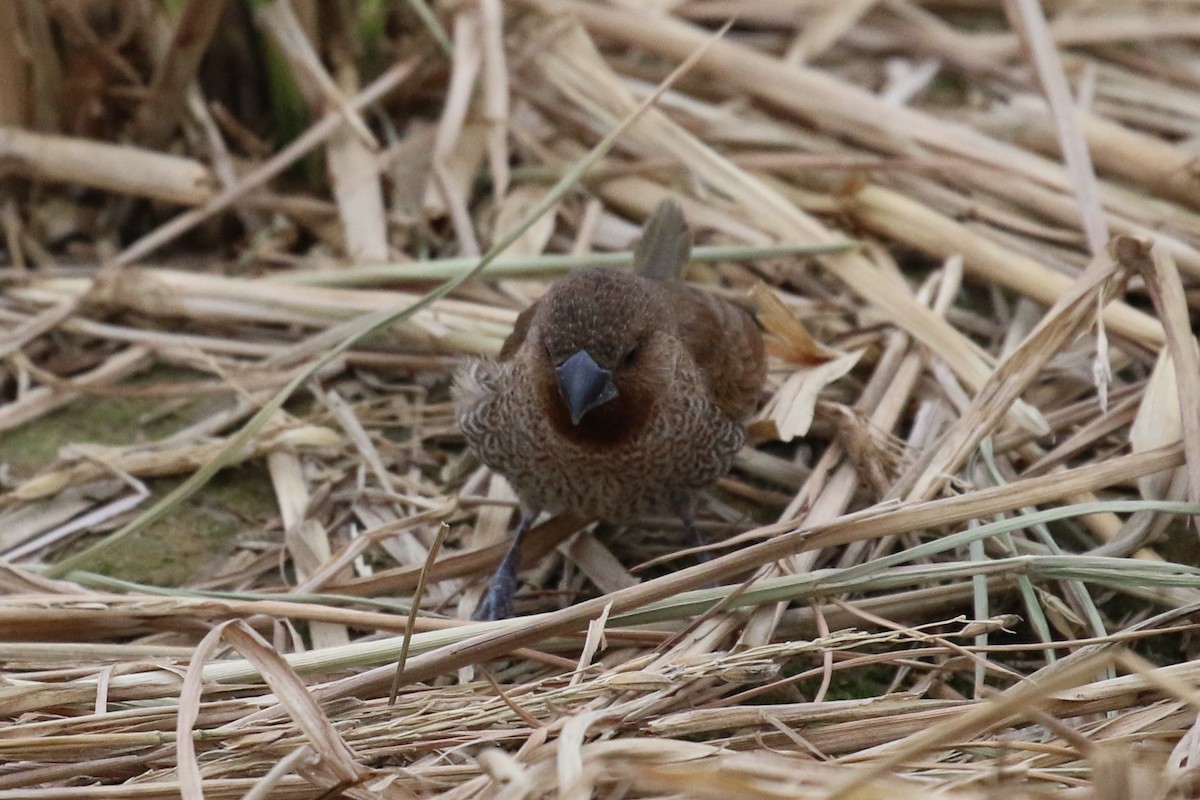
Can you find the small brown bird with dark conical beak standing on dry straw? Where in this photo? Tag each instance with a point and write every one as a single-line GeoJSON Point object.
{"type": "Point", "coordinates": [619, 395]}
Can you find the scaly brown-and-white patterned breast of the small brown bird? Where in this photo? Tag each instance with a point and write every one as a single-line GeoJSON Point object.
{"type": "Point", "coordinates": [632, 456]}
